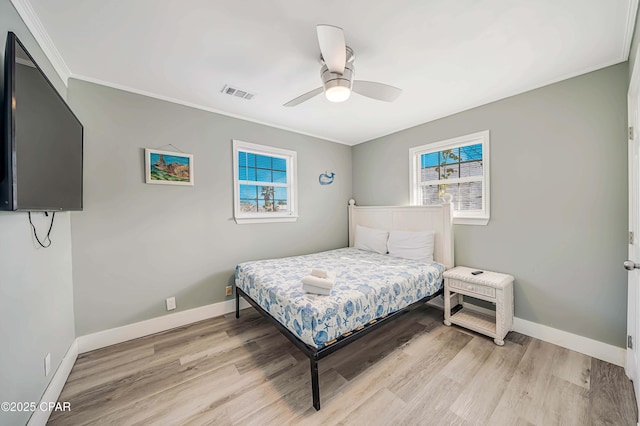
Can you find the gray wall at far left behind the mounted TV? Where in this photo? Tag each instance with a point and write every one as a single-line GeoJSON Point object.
{"type": "Point", "coordinates": [36, 294]}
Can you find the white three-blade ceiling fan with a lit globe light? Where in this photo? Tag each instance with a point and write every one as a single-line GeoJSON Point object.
{"type": "Point", "coordinates": [337, 72]}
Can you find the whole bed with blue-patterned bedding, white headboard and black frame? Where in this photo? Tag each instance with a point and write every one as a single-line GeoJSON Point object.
{"type": "Point", "coordinates": [370, 289]}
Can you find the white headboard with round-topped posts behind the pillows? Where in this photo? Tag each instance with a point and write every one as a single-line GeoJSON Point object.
{"type": "Point", "coordinates": [409, 218]}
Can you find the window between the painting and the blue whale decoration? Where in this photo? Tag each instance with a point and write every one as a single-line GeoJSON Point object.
{"type": "Point", "coordinates": [264, 183]}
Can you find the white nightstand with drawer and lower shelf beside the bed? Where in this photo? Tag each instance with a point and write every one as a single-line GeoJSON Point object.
{"type": "Point", "coordinates": [490, 286]}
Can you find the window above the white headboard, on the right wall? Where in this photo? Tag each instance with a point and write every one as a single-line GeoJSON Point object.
{"type": "Point", "coordinates": [459, 167]}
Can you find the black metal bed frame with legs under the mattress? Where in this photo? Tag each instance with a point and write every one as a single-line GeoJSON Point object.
{"type": "Point", "coordinates": [315, 354]}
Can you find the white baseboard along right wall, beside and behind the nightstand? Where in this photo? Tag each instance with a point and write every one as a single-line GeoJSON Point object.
{"type": "Point", "coordinates": [584, 345]}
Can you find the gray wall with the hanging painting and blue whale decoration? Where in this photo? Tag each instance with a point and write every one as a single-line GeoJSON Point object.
{"type": "Point", "coordinates": [136, 244]}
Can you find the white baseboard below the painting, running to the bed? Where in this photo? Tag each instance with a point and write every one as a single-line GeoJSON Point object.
{"type": "Point", "coordinates": [116, 335]}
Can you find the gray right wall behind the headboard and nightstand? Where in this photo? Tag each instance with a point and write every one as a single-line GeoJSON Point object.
{"type": "Point", "coordinates": [558, 198]}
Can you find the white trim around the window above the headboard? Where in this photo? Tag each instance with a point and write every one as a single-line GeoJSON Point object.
{"type": "Point", "coordinates": [477, 217]}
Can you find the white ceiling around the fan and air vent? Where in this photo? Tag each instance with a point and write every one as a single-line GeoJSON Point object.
{"type": "Point", "coordinates": [448, 56]}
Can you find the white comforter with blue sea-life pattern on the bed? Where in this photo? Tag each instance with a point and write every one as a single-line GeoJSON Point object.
{"type": "Point", "coordinates": [367, 285]}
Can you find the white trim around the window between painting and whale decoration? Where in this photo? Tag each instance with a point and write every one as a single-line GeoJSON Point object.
{"type": "Point", "coordinates": [292, 176]}
